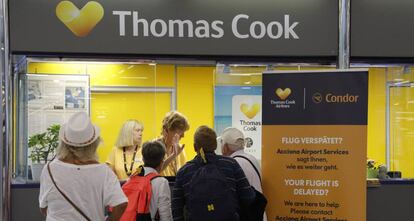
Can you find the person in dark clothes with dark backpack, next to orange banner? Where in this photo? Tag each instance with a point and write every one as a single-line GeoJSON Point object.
{"type": "Point", "coordinates": [210, 187]}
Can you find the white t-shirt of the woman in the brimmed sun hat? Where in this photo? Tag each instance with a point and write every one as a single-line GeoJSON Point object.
{"type": "Point", "coordinates": [90, 187]}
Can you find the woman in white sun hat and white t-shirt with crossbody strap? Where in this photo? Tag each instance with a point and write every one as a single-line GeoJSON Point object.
{"type": "Point", "coordinates": [75, 186]}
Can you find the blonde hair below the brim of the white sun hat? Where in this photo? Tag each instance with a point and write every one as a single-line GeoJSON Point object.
{"type": "Point", "coordinates": [84, 153]}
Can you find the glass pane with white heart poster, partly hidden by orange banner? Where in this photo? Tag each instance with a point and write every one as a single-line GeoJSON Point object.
{"type": "Point", "coordinates": [238, 97]}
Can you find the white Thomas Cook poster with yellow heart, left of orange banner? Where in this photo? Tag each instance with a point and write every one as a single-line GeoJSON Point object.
{"type": "Point", "coordinates": [247, 117]}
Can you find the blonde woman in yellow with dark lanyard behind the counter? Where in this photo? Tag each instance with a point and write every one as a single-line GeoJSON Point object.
{"type": "Point", "coordinates": [126, 156]}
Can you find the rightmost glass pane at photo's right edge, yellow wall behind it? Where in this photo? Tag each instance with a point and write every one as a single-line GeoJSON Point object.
{"type": "Point", "coordinates": [400, 118]}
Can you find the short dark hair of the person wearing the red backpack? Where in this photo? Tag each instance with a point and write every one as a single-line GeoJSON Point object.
{"type": "Point", "coordinates": [153, 153]}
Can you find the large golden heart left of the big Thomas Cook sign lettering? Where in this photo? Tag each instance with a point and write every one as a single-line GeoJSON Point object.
{"type": "Point", "coordinates": [82, 21]}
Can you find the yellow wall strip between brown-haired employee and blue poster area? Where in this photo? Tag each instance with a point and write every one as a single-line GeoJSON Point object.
{"type": "Point", "coordinates": [195, 100]}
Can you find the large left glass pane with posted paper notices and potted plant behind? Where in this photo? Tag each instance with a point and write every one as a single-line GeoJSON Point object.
{"type": "Point", "coordinates": [50, 92]}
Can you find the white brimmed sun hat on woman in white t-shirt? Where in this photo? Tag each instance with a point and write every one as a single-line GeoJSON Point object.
{"type": "Point", "coordinates": [79, 130]}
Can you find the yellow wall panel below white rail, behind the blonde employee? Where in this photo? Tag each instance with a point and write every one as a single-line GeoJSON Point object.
{"type": "Point", "coordinates": [110, 110]}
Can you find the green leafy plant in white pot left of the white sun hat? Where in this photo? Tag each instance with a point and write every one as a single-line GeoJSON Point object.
{"type": "Point", "coordinates": [44, 144]}
